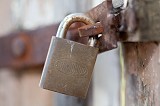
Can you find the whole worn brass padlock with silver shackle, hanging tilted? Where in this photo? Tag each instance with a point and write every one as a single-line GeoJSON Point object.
{"type": "Point", "coordinates": [69, 64]}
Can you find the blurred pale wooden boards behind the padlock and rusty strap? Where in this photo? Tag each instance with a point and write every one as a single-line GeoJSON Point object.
{"type": "Point", "coordinates": [19, 87]}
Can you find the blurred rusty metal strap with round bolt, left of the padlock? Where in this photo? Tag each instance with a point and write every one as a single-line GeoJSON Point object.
{"type": "Point", "coordinates": [25, 48]}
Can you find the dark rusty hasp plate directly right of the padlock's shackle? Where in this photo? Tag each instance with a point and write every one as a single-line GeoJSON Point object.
{"type": "Point", "coordinates": [103, 13]}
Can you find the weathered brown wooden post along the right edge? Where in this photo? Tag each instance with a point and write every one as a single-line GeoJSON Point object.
{"type": "Point", "coordinates": [142, 60]}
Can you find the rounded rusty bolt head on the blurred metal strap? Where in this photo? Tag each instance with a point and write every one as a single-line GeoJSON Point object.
{"type": "Point", "coordinates": [18, 47]}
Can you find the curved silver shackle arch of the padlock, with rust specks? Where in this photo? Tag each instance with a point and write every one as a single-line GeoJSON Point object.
{"type": "Point", "coordinates": [70, 19]}
